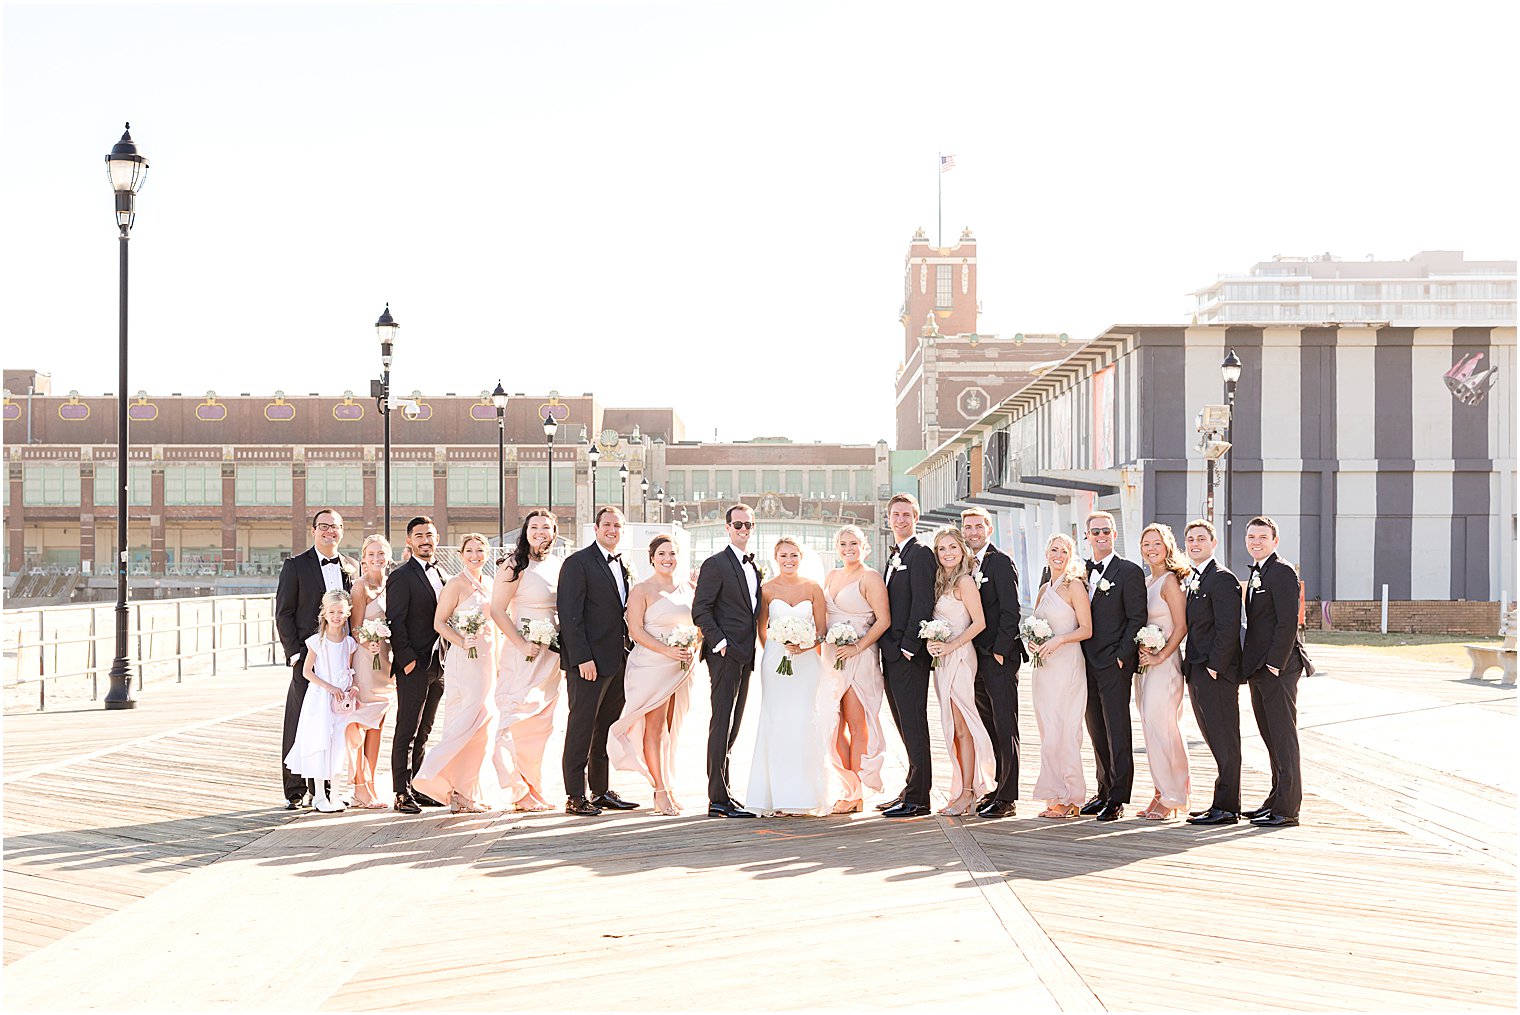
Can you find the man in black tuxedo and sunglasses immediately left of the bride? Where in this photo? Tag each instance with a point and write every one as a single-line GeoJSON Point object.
{"type": "Point", "coordinates": [727, 607]}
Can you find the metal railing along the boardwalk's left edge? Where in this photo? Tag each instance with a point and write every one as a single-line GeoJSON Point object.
{"type": "Point", "coordinates": [62, 643]}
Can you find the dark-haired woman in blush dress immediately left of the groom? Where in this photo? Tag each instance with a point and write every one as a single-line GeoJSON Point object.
{"type": "Point", "coordinates": [657, 681]}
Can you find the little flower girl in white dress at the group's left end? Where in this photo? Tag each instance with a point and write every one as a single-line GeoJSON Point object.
{"type": "Point", "coordinates": [320, 750]}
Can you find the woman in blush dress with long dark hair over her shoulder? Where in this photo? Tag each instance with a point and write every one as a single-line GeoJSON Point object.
{"type": "Point", "coordinates": [530, 680]}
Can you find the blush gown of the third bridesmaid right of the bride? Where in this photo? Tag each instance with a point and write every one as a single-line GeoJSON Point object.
{"type": "Point", "coordinates": [1060, 706]}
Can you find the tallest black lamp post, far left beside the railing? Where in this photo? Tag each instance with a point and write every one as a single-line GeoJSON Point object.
{"type": "Point", "coordinates": [127, 171]}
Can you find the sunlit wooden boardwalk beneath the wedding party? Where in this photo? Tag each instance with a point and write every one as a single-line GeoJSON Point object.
{"type": "Point", "coordinates": [148, 868]}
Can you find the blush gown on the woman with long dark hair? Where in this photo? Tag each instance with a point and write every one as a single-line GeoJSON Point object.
{"type": "Point", "coordinates": [528, 692]}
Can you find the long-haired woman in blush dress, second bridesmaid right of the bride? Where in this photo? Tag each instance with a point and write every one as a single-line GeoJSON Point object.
{"type": "Point", "coordinates": [974, 760]}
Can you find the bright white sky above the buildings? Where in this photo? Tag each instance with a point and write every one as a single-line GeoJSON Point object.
{"type": "Point", "coordinates": [708, 206]}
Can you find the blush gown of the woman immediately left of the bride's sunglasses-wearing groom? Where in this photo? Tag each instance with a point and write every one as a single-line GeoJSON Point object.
{"type": "Point", "coordinates": [650, 681]}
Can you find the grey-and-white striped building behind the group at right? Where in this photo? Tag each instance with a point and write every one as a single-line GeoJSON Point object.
{"type": "Point", "coordinates": [1351, 437]}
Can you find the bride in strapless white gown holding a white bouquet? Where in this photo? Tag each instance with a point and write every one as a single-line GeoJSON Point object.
{"type": "Point", "coordinates": [790, 774]}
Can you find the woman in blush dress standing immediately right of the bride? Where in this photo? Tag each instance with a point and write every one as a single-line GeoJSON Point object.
{"type": "Point", "coordinates": [857, 596]}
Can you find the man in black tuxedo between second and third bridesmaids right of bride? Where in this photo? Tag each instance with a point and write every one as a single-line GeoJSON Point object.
{"type": "Point", "coordinates": [999, 651]}
